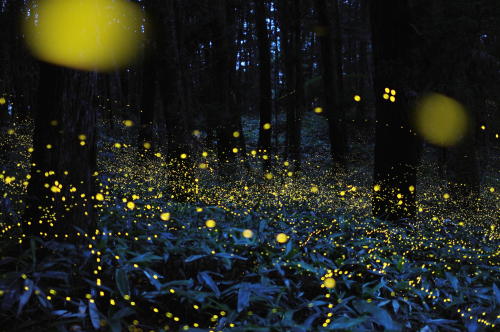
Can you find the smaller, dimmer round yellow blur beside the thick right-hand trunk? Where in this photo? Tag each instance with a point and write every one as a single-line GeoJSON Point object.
{"type": "Point", "coordinates": [441, 120]}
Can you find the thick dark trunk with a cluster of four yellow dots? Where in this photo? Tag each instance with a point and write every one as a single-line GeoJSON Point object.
{"type": "Point", "coordinates": [395, 143]}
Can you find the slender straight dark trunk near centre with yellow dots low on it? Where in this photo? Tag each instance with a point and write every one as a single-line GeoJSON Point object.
{"type": "Point", "coordinates": [265, 100]}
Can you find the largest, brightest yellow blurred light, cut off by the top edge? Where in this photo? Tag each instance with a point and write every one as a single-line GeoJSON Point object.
{"type": "Point", "coordinates": [84, 34]}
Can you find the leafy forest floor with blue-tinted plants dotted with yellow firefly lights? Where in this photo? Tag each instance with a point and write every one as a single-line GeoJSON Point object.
{"type": "Point", "coordinates": [251, 253]}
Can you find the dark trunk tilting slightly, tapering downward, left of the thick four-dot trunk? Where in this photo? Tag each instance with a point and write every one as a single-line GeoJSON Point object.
{"type": "Point", "coordinates": [331, 65]}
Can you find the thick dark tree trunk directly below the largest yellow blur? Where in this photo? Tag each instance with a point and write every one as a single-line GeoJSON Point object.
{"type": "Point", "coordinates": [62, 185]}
